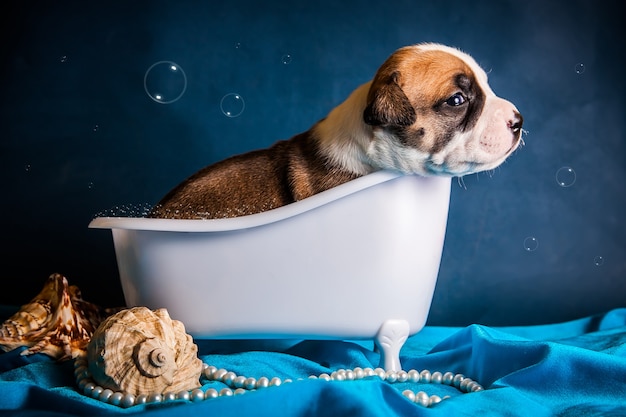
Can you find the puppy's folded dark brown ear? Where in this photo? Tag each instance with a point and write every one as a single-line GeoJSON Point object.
{"type": "Point", "coordinates": [388, 105]}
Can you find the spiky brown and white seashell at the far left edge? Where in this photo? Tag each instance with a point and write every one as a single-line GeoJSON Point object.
{"type": "Point", "coordinates": [56, 322]}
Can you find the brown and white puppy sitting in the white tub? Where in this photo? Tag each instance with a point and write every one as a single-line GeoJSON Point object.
{"type": "Point", "coordinates": [428, 111]}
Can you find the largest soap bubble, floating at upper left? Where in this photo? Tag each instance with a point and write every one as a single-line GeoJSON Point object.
{"type": "Point", "coordinates": [165, 82]}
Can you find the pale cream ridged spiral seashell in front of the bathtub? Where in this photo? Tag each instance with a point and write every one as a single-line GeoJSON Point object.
{"type": "Point", "coordinates": [141, 351]}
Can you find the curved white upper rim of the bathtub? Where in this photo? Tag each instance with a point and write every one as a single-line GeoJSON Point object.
{"type": "Point", "coordinates": [258, 219]}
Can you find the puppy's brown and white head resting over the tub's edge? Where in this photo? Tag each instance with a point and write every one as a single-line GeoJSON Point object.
{"type": "Point", "coordinates": [433, 113]}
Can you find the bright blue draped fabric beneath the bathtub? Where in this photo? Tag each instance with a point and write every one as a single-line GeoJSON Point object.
{"type": "Point", "coordinates": [576, 368]}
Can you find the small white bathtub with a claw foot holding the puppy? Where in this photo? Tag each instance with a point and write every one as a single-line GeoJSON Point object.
{"type": "Point", "coordinates": [358, 261]}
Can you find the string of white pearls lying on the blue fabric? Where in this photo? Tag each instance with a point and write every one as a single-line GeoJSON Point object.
{"type": "Point", "coordinates": [240, 384]}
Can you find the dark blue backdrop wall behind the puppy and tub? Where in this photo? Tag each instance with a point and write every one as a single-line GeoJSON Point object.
{"type": "Point", "coordinates": [528, 243]}
